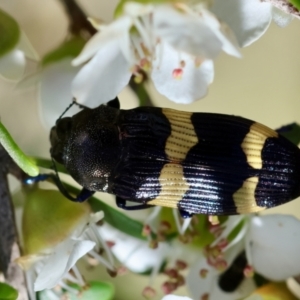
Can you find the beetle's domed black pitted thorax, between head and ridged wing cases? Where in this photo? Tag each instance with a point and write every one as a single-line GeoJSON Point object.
{"type": "Point", "coordinates": [91, 155]}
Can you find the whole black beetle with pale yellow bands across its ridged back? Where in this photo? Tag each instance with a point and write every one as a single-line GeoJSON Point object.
{"type": "Point", "coordinates": [197, 162]}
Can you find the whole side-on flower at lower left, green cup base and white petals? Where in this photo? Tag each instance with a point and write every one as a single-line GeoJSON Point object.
{"type": "Point", "coordinates": [56, 233]}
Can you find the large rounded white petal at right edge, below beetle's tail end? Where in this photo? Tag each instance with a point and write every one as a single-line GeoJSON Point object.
{"type": "Point", "coordinates": [274, 246]}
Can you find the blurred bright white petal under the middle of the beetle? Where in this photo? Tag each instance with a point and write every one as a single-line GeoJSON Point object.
{"type": "Point", "coordinates": [134, 253]}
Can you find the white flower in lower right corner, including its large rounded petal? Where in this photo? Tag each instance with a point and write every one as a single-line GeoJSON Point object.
{"type": "Point", "coordinates": [272, 247]}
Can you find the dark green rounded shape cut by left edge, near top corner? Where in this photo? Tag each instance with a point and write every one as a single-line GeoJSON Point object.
{"type": "Point", "coordinates": [9, 33]}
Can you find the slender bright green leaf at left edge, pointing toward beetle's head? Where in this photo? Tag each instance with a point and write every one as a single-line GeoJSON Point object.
{"type": "Point", "coordinates": [23, 161]}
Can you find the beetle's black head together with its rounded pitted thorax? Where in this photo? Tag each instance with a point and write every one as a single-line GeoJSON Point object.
{"type": "Point", "coordinates": [88, 145]}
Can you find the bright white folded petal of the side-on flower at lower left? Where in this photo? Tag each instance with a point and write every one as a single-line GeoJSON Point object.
{"type": "Point", "coordinates": [60, 262]}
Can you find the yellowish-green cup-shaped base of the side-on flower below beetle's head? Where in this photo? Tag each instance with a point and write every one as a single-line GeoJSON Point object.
{"type": "Point", "coordinates": [49, 218]}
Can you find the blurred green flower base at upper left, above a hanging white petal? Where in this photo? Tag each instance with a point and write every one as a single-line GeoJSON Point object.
{"type": "Point", "coordinates": [71, 48]}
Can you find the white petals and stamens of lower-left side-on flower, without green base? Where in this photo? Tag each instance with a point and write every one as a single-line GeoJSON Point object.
{"type": "Point", "coordinates": [51, 266]}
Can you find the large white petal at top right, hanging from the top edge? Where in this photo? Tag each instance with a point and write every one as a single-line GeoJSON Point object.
{"type": "Point", "coordinates": [249, 19]}
